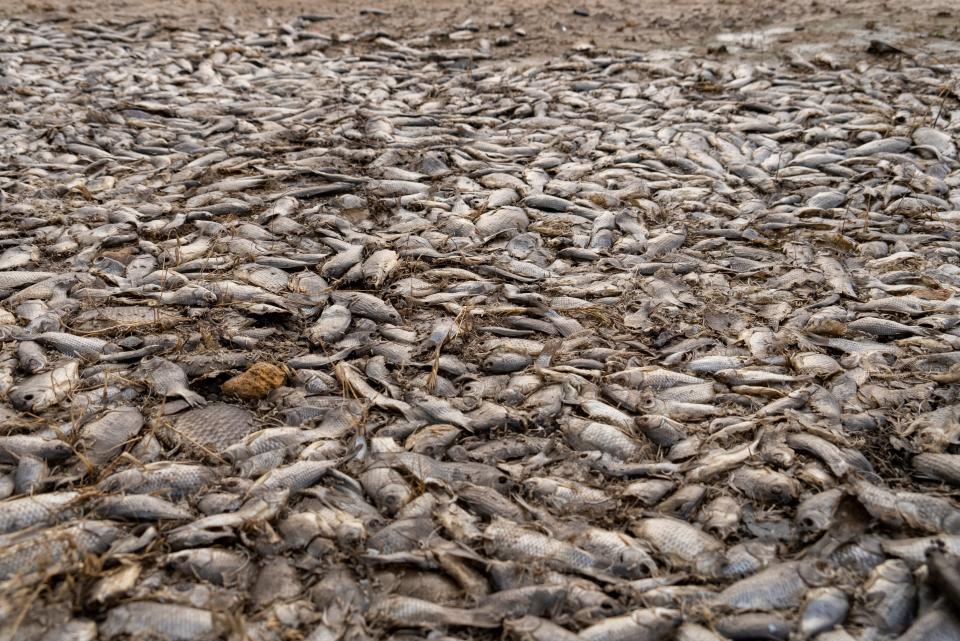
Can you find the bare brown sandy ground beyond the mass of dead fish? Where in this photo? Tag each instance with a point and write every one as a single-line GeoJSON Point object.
{"type": "Point", "coordinates": [545, 28]}
